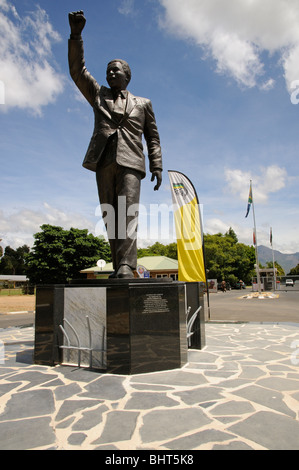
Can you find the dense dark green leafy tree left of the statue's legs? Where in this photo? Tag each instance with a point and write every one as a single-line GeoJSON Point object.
{"type": "Point", "coordinates": [59, 255]}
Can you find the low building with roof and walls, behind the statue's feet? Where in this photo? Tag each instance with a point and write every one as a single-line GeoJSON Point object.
{"type": "Point", "coordinates": [157, 267]}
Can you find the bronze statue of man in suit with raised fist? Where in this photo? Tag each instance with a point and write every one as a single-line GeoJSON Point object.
{"type": "Point", "coordinates": [115, 152]}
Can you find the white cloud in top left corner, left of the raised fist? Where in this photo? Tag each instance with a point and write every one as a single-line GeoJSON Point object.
{"type": "Point", "coordinates": [27, 68]}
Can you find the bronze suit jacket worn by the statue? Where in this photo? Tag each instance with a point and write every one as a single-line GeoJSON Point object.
{"type": "Point", "coordinates": [138, 120]}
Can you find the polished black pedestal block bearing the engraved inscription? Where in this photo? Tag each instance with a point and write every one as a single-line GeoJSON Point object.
{"type": "Point", "coordinates": [146, 327]}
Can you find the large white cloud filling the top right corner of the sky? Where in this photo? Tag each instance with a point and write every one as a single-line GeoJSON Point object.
{"type": "Point", "coordinates": [235, 33]}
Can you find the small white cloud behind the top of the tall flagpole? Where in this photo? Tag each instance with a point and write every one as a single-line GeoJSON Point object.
{"type": "Point", "coordinates": [270, 180]}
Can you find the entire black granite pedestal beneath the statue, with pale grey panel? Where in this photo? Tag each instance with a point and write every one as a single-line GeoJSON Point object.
{"type": "Point", "coordinates": [136, 326]}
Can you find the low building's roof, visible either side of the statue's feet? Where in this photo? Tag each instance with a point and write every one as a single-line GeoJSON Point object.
{"type": "Point", "coordinates": [151, 263]}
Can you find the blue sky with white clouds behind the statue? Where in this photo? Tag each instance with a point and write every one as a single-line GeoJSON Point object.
{"type": "Point", "coordinates": [223, 78]}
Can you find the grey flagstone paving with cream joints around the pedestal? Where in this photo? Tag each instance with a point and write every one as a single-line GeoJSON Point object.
{"type": "Point", "coordinates": [240, 392]}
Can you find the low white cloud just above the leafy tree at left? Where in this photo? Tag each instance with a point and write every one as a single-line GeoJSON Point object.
{"type": "Point", "coordinates": [17, 228]}
